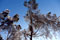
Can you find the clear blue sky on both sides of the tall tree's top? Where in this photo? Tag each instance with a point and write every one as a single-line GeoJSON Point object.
{"type": "Point", "coordinates": [16, 6]}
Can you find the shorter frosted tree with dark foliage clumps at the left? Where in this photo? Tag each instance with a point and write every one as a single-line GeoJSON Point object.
{"type": "Point", "coordinates": [7, 23]}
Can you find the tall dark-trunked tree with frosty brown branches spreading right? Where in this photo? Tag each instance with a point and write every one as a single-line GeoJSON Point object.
{"type": "Point", "coordinates": [42, 24]}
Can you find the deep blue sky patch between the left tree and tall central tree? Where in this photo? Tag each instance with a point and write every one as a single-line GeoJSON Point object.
{"type": "Point", "coordinates": [15, 6]}
